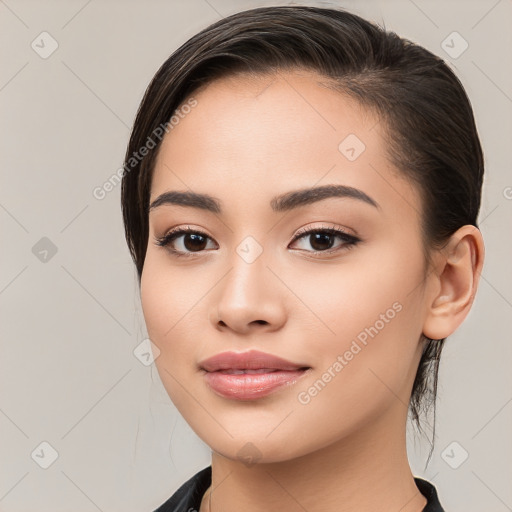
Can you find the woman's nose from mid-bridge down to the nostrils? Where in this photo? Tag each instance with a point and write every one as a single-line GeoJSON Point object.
{"type": "Point", "coordinates": [249, 299]}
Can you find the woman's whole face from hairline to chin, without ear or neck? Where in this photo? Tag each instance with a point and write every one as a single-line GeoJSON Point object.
{"type": "Point", "coordinates": [348, 308]}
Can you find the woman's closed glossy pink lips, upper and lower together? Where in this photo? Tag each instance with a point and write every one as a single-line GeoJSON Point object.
{"type": "Point", "coordinates": [224, 374]}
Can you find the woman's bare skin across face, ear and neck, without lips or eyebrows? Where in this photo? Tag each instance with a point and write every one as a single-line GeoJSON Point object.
{"type": "Point", "coordinates": [345, 450]}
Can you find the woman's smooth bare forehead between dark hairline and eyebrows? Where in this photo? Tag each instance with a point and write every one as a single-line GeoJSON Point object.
{"type": "Point", "coordinates": [253, 137]}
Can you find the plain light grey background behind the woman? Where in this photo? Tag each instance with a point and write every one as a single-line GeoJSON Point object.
{"type": "Point", "coordinates": [70, 324]}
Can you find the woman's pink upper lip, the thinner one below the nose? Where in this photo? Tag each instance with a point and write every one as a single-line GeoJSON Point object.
{"type": "Point", "coordinates": [250, 360]}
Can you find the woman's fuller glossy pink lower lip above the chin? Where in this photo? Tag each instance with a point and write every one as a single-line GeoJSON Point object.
{"type": "Point", "coordinates": [250, 386]}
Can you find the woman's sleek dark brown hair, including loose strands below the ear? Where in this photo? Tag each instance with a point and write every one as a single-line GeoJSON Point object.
{"type": "Point", "coordinates": [431, 134]}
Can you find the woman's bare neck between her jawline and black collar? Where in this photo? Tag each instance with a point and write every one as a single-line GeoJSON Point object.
{"type": "Point", "coordinates": [365, 471]}
